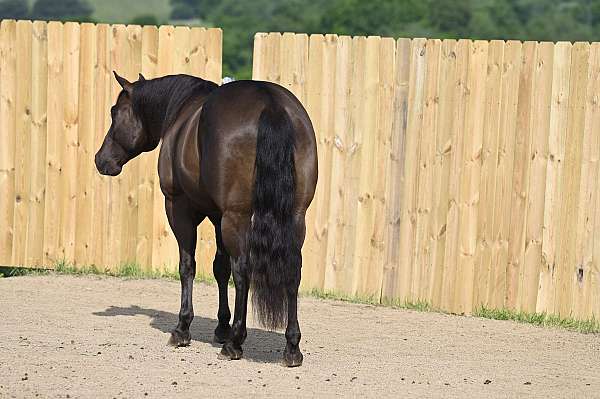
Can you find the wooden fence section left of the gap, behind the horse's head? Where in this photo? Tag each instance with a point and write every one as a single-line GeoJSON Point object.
{"type": "Point", "coordinates": [56, 90]}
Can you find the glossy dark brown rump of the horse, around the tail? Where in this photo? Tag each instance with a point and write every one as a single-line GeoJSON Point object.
{"type": "Point", "coordinates": [228, 137]}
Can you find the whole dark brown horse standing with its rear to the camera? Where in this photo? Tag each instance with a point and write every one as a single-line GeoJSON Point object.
{"type": "Point", "coordinates": [244, 156]}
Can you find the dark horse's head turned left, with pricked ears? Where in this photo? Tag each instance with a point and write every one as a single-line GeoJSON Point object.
{"type": "Point", "coordinates": [126, 137]}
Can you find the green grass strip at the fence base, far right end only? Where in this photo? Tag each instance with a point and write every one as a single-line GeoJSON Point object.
{"type": "Point", "coordinates": [591, 326]}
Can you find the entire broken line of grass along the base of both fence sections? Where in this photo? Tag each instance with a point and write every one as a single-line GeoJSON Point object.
{"type": "Point", "coordinates": [134, 271]}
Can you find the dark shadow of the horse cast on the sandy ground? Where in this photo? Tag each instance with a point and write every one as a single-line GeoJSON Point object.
{"type": "Point", "coordinates": [260, 346]}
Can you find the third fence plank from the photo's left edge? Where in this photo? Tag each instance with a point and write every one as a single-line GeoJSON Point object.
{"type": "Point", "coordinates": [39, 84]}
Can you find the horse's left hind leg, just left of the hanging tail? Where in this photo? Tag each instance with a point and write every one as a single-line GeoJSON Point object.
{"type": "Point", "coordinates": [234, 227]}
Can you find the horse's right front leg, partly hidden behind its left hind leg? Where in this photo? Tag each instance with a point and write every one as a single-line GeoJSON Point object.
{"type": "Point", "coordinates": [222, 272]}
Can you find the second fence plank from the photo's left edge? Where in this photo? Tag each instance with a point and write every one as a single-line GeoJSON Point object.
{"type": "Point", "coordinates": [22, 142]}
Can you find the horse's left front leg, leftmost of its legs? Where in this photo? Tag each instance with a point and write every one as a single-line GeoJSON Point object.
{"type": "Point", "coordinates": [184, 222]}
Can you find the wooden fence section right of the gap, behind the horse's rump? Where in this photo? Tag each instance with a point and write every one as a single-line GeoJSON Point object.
{"type": "Point", "coordinates": [462, 173]}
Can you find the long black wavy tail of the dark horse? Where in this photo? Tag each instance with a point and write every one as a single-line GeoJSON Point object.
{"type": "Point", "coordinates": [274, 258]}
